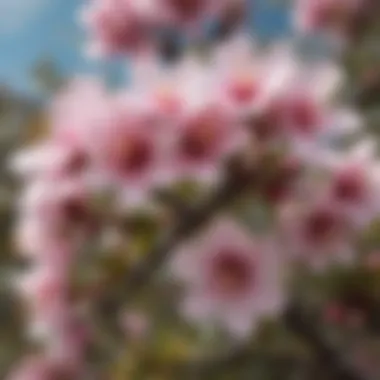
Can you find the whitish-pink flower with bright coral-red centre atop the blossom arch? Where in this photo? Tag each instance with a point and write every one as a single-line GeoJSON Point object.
{"type": "Point", "coordinates": [246, 79]}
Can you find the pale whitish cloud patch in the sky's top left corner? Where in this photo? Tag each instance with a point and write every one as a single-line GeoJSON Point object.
{"type": "Point", "coordinates": [15, 15]}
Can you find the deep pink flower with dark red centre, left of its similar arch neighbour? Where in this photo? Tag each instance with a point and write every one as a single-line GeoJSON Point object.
{"type": "Point", "coordinates": [127, 150]}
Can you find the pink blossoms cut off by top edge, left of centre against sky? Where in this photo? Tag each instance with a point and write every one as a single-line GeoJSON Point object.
{"type": "Point", "coordinates": [133, 27]}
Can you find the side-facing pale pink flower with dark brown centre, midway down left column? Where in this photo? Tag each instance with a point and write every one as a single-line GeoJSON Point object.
{"type": "Point", "coordinates": [54, 220]}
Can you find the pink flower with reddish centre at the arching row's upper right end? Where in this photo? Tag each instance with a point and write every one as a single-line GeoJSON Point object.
{"type": "Point", "coordinates": [302, 115]}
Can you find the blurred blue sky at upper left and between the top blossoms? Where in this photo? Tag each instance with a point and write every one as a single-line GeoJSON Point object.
{"type": "Point", "coordinates": [31, 30]}
